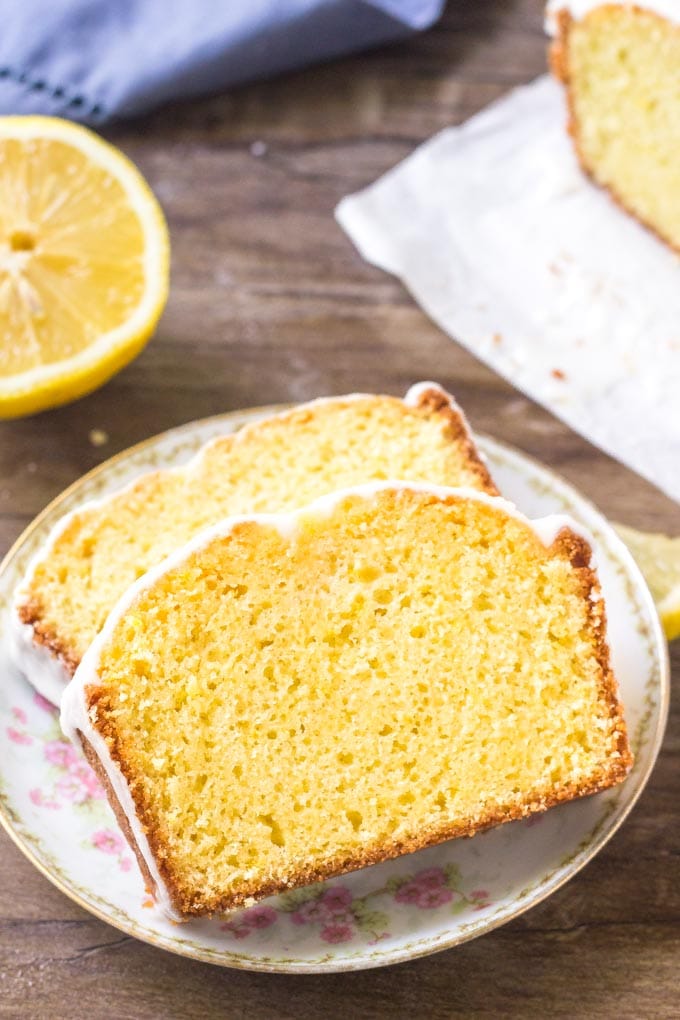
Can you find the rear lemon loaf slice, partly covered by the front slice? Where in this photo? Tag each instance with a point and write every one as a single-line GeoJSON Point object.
{"type": "Point", "coordinates": [283, 463]}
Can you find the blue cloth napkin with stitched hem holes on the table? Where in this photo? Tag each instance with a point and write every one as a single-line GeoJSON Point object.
{"type": "Point", "coordinates": [96, 60]}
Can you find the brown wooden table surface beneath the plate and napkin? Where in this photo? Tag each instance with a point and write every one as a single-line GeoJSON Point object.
{"type": "Point", "coordinates": [271, 303]}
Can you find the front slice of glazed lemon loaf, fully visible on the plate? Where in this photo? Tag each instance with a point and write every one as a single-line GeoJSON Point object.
{"type": "Point", "coordinates": [294, 697]}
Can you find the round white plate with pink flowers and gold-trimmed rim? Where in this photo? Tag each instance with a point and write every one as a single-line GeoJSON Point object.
{"type": "Point", "coordinates": [56, 811]}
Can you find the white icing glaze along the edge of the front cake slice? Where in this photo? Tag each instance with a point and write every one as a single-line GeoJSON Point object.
{"type": "Point", "coordinates": [75, 716]}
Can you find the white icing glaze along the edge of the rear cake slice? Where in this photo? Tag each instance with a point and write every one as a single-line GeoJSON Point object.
{"type": "Point", "coordinates": [41, 667]}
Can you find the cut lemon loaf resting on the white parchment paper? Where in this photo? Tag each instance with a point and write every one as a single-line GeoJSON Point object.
{"type": "Point", "coordinates": [621, 66]}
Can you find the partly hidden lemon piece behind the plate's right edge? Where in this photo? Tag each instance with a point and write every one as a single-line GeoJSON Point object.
{"type": "Point", "coordinates": [659, 559]}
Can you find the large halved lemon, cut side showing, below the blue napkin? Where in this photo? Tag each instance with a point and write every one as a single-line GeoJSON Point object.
{"type": "Point", "coordinates": [84, 263]}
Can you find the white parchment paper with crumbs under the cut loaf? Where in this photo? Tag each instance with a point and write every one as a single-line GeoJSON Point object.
{"type": "Point", "coordinates": [516, 256]}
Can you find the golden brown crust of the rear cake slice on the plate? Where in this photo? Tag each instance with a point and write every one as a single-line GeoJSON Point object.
{"type": "Point", "coordinates": [433, 401]}
